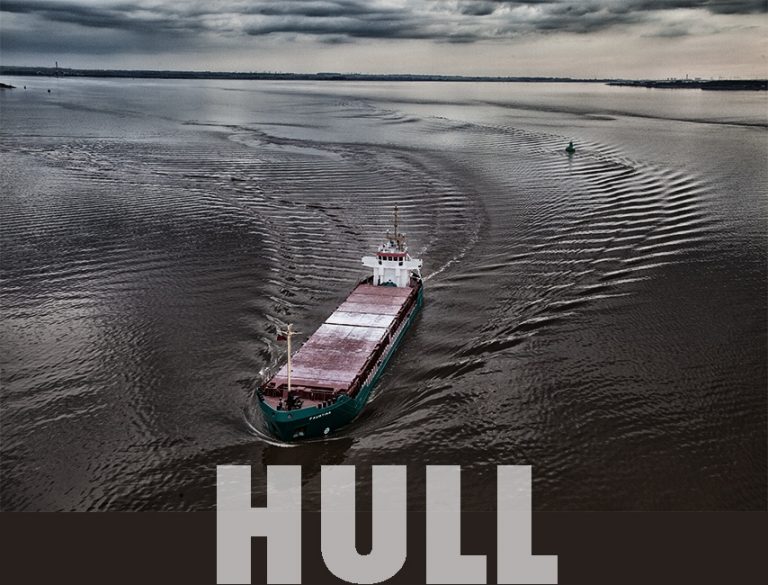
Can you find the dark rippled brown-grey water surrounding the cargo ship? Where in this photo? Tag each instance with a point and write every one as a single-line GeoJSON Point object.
{"type": "Point", "coordinates": [602, 317]}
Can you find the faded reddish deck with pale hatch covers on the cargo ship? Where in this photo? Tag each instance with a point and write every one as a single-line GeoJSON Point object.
{"type": "Point", "coordinates": [332, 359]}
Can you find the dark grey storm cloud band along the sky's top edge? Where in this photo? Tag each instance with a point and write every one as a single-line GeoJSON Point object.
{"type": "Point", "coordinates": [337, 21]}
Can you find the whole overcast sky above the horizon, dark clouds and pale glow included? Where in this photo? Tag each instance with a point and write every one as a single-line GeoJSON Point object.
{"type": "Point", "coordinates": [578, 38]}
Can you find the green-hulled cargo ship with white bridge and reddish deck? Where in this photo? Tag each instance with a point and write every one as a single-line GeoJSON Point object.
{"type": "Point", "coordinates": [329, 380]}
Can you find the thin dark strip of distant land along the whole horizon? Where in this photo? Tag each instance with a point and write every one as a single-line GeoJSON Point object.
{"type": "Point", "coordinates": [723, 85]}
